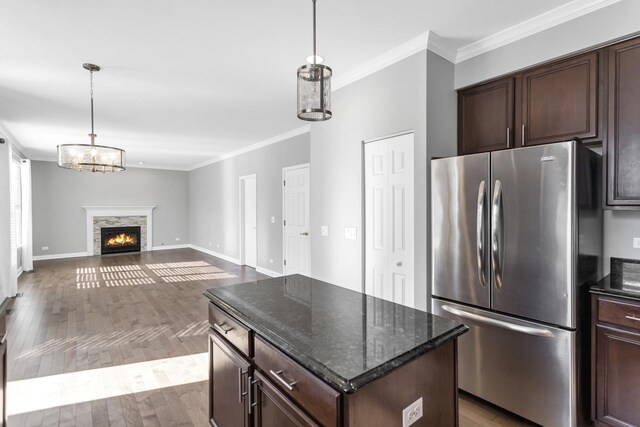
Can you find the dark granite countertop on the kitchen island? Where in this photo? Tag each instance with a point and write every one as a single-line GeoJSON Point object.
{"type": "Point", "coordinates": [344, 337]}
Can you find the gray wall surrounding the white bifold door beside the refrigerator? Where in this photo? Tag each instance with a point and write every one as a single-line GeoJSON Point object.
{"type": "Point", "coordinates": [391, 100]}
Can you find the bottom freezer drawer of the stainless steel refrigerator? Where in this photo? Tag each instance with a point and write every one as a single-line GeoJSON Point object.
{"type": "Point", "coordinates": [524, 367]}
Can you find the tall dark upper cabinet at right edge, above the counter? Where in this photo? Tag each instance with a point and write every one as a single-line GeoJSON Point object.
{"type": "Point", "coordinates": [623, 142]}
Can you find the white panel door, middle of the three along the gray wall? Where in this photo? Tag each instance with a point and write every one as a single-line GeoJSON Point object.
{"type": "Point", "coordinates": [296, 220]}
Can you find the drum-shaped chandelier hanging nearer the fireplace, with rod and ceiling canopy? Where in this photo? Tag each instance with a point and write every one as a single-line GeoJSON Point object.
{"type": "Point", "coordinates": [91, 157]}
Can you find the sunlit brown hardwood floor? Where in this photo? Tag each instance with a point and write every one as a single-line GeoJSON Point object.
{"type": "Point", "coordinates": [90, 333]}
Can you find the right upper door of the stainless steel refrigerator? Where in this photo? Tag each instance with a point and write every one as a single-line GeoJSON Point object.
{"type": "Point", "coordinates": [533, 223]}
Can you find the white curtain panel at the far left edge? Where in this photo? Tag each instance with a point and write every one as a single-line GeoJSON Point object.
{"type": "Point", "coordinates": [5, 221]}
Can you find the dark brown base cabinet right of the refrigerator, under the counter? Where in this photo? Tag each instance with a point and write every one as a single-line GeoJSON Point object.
{"type": "Point", "coordinates": [616, 361]}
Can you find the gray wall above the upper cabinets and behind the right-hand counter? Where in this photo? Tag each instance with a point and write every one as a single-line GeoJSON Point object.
{"type": "Point", "coordinates": [601, 27]}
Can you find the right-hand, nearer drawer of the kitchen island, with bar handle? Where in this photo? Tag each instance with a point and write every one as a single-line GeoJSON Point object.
{"type": "Point", "coordinates": [317, 398]}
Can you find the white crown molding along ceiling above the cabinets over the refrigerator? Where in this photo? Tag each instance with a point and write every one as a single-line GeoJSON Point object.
{"type": "Point", "coordinates": [552, 18]}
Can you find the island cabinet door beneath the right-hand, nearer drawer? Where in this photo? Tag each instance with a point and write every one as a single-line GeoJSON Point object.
{"type": "Point", "coordinates": [272, 408]}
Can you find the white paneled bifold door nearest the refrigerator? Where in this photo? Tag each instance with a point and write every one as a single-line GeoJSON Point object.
{"type": "Point", "coordinates": [389, 222]}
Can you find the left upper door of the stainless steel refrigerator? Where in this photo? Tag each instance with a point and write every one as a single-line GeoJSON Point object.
{"type": "Point", "coordinates": [460, 245]}
